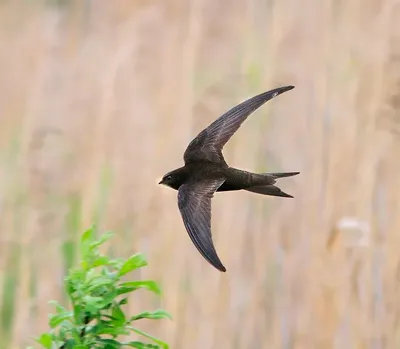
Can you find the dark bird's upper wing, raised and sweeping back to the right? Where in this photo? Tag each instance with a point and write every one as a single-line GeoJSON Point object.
{"type": "Point", "coordinates": [209, 143]}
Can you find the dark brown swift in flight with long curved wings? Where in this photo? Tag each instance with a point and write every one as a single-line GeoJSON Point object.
{"type": "Point", "coordinates": [205, 172]}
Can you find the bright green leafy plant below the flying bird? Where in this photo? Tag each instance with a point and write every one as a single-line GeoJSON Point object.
{"type": "Point", "coordinates": [96, 293]}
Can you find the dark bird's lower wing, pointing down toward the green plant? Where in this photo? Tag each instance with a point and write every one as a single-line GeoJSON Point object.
{"type": "Point", "coordinates": [194, 202]}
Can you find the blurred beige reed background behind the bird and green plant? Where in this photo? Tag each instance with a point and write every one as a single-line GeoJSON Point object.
{"type": "Point", "coordinates": [99, 99]}
